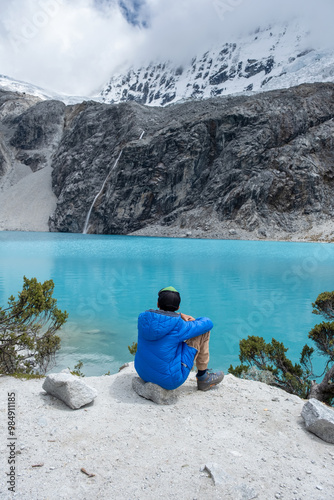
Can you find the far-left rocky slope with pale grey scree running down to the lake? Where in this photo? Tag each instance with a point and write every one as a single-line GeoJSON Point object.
{"type": "Point", "coordinates": [29, 134]}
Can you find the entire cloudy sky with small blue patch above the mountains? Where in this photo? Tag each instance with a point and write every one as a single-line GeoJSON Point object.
{"type": "Point", "coordinates": [74, 46]}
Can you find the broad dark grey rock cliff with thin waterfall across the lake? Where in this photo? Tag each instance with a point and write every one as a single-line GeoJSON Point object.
{"type": "Point", "coordinates": [259, 162]}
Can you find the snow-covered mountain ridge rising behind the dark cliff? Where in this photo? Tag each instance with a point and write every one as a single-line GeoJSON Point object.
{"type": "Point", "coordinates": [276, 57]}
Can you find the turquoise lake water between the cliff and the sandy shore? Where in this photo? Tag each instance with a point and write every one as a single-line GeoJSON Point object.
{"type": "Point", "coordinates": [104, 282]}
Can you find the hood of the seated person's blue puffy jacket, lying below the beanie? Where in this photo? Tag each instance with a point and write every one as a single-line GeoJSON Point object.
{"type": "Point", "coordinates": [153, 325]}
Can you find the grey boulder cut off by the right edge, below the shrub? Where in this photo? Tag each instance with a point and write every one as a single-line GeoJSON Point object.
{"type": "Point", "coordinates": [319, 419]}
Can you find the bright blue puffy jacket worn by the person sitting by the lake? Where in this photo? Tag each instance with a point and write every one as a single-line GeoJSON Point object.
{"type": "Point", "coordinates": [162, 355]}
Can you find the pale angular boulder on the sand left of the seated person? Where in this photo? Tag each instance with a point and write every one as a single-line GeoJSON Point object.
{"type": "Point", "coordinates": [70, 389]}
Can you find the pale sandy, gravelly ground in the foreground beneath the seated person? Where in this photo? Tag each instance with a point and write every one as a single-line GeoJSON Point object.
{"type": "Point", "coordinates": [241, 440]}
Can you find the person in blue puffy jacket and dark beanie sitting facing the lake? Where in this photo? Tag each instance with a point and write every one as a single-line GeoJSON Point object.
{"type": "Point", "coordinates": [169, 343]}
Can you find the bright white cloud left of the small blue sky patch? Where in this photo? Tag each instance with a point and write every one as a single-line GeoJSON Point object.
{"type": "Point", "coordinates": [69, 47]}
